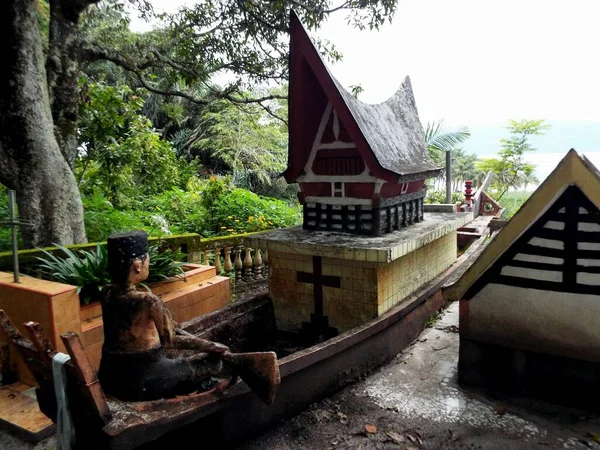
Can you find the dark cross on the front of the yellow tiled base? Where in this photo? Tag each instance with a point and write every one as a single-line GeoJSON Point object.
{"type": "Point", "coordinates": [318, 330]}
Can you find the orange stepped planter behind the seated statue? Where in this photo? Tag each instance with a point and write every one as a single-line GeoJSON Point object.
{"type": "Point", "coordinates": [56, 307]}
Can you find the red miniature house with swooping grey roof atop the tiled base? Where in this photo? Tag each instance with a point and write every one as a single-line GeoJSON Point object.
{"type": "Point", "coordinates": [361, 168]}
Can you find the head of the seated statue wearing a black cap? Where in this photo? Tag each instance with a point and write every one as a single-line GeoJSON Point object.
{"type": "Point", "coordinates": [128, 257]}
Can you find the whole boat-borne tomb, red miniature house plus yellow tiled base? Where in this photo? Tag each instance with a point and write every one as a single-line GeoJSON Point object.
{"type": "Point", "coordinates": [365, 245]}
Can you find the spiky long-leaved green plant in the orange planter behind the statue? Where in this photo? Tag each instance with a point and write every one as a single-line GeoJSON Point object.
{"type": "Point", "coordinates": [88, 270]}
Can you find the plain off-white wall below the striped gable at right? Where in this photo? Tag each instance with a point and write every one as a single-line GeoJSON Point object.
{"type": "Point", "coordinates": [556, 323]}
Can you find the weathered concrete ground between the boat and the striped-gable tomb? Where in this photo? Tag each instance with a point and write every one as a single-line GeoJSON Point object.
{"type": "Point", "coordinates": [417, 396]}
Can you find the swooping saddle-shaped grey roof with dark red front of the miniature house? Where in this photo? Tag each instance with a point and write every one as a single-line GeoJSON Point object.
{"type": "Point", "coordinates": [389, 135]}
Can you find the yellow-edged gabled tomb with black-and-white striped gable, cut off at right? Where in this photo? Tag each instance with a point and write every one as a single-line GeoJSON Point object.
{"type": "Point", "coordinates": [530, 303]}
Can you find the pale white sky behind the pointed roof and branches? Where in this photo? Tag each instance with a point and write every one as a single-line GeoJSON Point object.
{"type": "Point", "coordinates": [479, 62]}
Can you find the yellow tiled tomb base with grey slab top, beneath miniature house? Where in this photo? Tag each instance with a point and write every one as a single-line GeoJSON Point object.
{"type": "Point", "coordinates": [361, 277]}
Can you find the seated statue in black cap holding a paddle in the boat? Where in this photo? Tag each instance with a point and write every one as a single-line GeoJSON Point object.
{"type": "Point", "coordinates": [141, 355]}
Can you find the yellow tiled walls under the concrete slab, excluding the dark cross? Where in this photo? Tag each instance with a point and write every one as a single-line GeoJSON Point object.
{"type": "Point", "coordinates": [368, 289]}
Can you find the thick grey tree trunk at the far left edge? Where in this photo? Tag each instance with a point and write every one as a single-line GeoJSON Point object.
{"type": "Point", "coordinates": [31, 161]}
